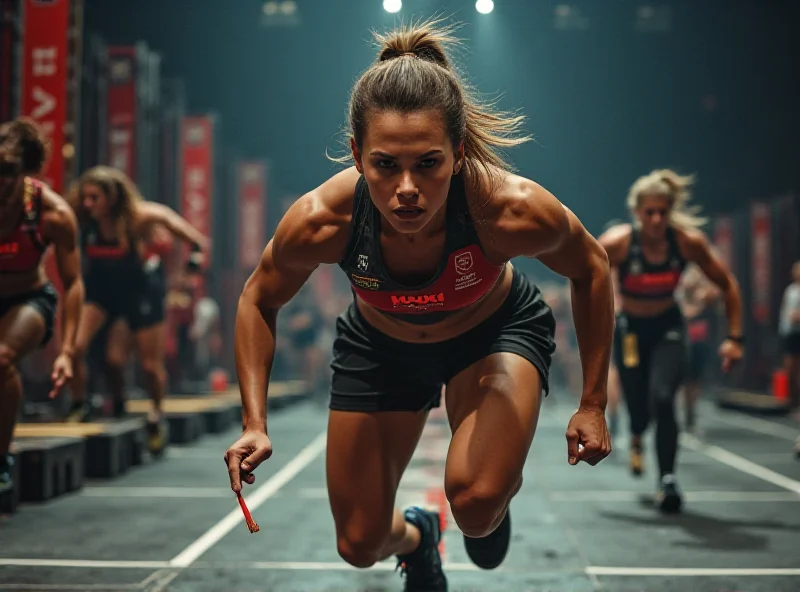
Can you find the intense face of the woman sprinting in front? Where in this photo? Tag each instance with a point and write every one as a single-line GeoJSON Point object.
{"type": "Point", "coordinates": [408, 162]}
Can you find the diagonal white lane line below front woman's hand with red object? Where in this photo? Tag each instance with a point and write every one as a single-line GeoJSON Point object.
{"type": "Point", "coordinates": [235, 519]}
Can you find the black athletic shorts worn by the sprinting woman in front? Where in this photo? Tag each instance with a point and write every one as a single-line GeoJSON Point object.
{"type": "Point", "coordinates": [374, 372]}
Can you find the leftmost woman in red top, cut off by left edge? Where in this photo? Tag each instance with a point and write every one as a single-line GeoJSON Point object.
{"type": "Point", "coordinates": [32, 217]}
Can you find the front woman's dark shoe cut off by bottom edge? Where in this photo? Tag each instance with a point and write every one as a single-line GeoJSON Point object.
{"type": "Point", "coordinates": [423, 567]}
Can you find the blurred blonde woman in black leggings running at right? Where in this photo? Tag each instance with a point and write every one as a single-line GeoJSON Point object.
{"type": "Point", "coordinates": [650, 343]}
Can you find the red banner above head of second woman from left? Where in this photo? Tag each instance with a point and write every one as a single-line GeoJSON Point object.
{"type": "Point", "coordinates": [121, 108]}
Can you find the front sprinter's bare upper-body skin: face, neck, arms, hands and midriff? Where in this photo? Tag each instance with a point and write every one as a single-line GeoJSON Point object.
{"type": "Point", "coordinates": [408, 163]}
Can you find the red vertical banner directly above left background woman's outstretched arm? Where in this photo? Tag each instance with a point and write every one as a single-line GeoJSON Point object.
{"type": "Point", "coordinates": [197, 183]}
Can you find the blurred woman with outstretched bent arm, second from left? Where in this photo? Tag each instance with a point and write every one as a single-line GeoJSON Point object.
{"type": "Point", "coordinates": [116, 223]}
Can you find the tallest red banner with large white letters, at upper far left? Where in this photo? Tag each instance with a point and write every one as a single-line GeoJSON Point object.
{"type": "Point", "coordinates": [44, 77]}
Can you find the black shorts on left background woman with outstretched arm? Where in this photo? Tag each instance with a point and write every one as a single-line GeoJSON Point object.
{"type": "Point", "coordinates": [141, 305]}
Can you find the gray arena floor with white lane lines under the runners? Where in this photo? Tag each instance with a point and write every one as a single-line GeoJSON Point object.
{"type": "Point", "coordinates": [174, 525]}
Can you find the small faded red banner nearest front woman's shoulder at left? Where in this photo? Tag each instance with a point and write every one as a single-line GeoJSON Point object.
{"type": "Point", "coordinates": [251, 181]}
